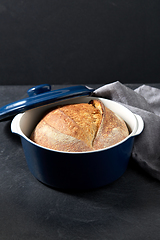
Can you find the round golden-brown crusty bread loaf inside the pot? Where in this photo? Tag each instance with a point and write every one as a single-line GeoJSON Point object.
{"type": "Point", "coordinates": [80, 127]}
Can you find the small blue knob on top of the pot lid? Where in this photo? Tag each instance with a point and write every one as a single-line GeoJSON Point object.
{"type": "Point", "coordinates": [39, 89]}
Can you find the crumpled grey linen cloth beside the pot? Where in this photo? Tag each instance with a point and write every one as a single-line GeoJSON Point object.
{"type": "Point", "coordinates": [144, 101]}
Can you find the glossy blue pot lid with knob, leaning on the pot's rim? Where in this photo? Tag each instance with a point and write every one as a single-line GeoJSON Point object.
{"type": "Point", "coordinates": [41, 95]}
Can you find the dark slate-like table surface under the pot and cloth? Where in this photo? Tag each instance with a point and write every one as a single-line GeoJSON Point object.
{"type": "Point", "coordinates": [127, 209]}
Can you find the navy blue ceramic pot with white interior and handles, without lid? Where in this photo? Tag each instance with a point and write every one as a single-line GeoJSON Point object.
{"type": "Point", "coordinates": [78, 171]}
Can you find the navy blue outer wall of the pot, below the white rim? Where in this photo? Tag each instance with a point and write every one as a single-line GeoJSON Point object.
{"type": "Point", "coordinates": [77, 171]}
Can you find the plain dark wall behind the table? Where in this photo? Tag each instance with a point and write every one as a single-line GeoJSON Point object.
{"type": "Point", "coordinates": [70, 42]}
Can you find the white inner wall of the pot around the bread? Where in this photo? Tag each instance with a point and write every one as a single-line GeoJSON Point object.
{"type": "Point", "coordinates": [31, 117]}
